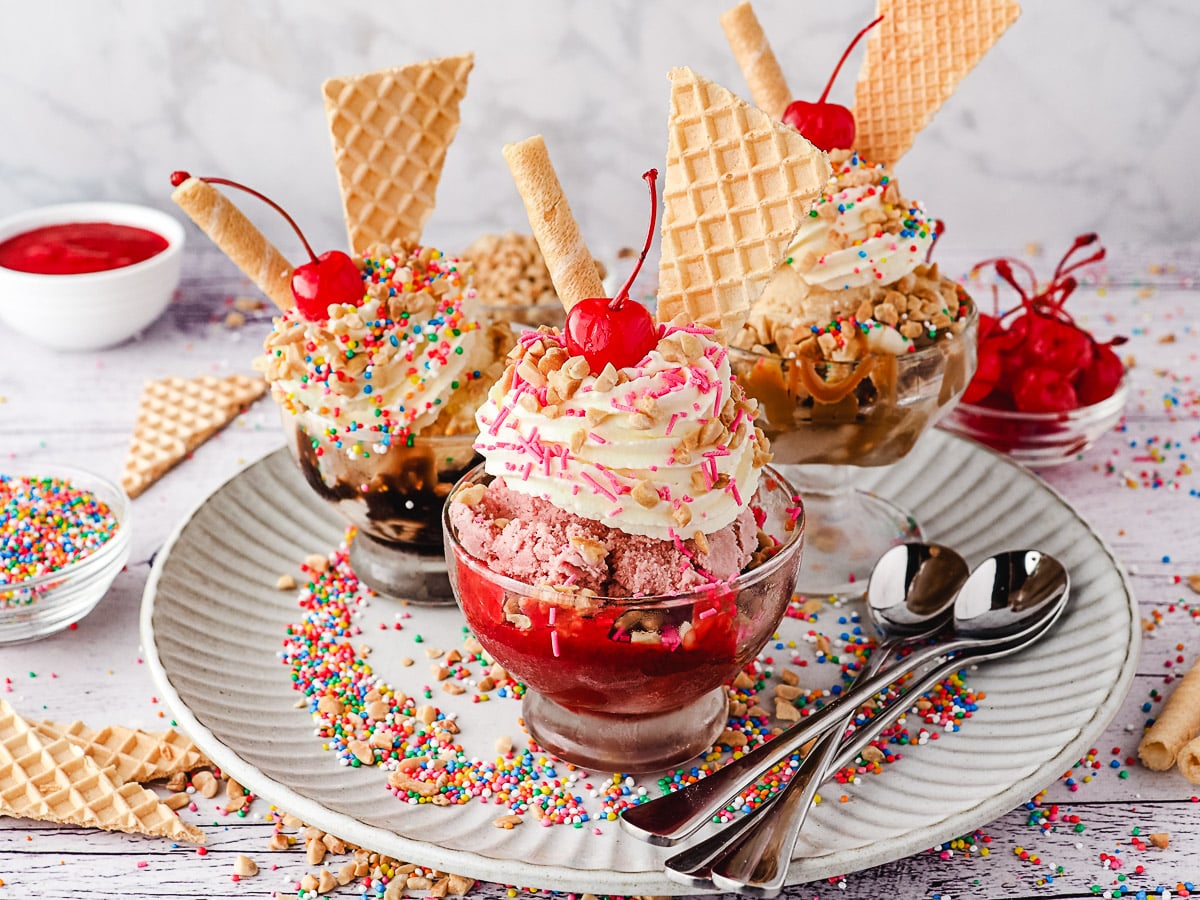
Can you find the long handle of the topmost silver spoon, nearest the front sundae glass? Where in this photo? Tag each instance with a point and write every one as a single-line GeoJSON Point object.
{"type": "Point", "coordinates": [673, 818]}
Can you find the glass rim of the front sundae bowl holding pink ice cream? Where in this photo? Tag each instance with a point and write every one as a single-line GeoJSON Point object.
{"type": "Point", "coordinates": [785, 553]}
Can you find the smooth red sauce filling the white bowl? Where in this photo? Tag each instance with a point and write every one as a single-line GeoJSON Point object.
{"type": "Point", "coordinates": [80, 248]}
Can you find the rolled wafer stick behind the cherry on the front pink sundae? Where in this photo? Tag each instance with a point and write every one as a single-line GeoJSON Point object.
{"type": "Point", "coordinates": [572, 267]}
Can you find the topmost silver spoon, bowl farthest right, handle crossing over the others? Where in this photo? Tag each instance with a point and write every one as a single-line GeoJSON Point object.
{"type": "Point", "coordinates": [1041, 584]}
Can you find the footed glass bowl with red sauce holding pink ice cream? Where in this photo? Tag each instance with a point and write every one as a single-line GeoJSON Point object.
{"type": "Point", "coordinates": [623, 685]}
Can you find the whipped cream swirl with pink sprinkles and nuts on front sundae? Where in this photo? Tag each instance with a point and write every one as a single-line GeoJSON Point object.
{"type": "Point", "coordinates": [664, 449]}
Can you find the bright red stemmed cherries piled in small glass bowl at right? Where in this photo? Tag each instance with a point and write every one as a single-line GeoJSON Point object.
{"type": "Point", "coordinates": [1035, 358]}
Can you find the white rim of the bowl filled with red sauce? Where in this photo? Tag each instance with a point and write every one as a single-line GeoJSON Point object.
{"type": "Point", "coordinates": [129, 214]}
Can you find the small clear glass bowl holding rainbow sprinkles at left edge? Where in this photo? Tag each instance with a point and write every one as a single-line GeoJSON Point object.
{"type": "Point", "coordinates": [40, 607]}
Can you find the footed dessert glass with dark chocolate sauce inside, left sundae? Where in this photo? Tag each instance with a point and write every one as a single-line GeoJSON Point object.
{"type": "Point", "coordinates": [394, 499]}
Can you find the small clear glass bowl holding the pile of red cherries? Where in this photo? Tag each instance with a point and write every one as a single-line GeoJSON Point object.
{"type": "Point", "coordinates": [1040, 440]}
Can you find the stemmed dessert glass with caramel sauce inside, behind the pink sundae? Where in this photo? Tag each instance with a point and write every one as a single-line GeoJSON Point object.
{"type": "Point", "coordinates": [824, 418]}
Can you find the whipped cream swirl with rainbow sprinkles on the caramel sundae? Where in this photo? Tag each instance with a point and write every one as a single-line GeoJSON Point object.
{"type": "Point", "coordinates": [861, 231]}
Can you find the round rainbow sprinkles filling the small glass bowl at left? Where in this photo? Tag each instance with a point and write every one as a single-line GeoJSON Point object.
{"type": "Point", "coordinates": [46, 525]}
